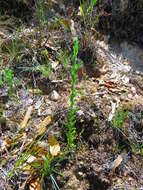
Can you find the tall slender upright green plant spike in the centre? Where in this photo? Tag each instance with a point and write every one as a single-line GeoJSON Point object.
{"type": "Point", "coordinates": [71, 130]}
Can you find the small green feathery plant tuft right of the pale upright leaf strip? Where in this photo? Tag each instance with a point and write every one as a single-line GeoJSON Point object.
{"type": "Point", "coordinates": [120, 116]}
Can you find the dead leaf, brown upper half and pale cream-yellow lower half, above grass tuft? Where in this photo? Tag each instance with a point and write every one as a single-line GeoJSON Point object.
{"type": "Point", "coordinates": [54, 145]}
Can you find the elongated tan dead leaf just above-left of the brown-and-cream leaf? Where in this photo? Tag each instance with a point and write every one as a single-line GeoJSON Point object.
{"type": "Point", "coordinates": [42, 128]}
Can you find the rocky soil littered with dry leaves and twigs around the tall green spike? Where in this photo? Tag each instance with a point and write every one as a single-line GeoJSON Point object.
{"type": "Point", "coordinates": [107, 155]}
